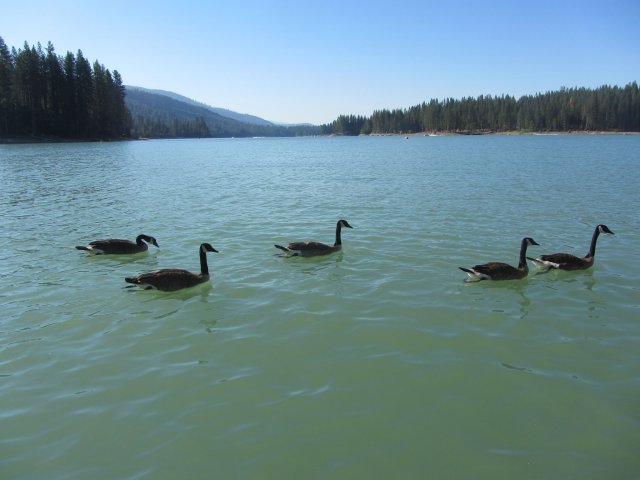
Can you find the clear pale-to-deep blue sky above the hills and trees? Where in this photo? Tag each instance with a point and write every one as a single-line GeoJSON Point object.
{"type": "Point", "coordinates": [310, 61]}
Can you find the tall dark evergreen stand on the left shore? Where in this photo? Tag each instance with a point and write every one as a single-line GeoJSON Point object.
{"type": "Point", "coordinates": [45, 94]}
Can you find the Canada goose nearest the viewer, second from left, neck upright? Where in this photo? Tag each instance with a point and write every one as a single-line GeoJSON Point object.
{"type": "Point", "coordinates": [171, 279]}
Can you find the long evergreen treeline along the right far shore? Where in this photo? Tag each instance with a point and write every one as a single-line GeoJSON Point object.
{"type": "Point", "coordinates": [576, 109]}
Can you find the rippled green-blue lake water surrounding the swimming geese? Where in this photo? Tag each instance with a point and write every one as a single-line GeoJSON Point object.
{"type": "Point", "coordinates": [376, 362]}
